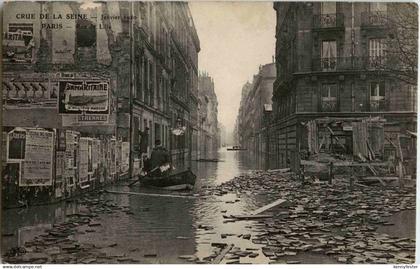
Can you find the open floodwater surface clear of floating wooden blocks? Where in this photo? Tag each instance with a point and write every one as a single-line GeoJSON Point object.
{"type": "Point", "coordinates": [164, 228]}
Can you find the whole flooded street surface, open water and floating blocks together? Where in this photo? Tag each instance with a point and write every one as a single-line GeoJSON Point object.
{"type": "Point", "coordinates": [115, 228]}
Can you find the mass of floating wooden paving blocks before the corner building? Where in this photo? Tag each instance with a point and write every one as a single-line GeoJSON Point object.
{"type": "Point", "coordinates": [336, 219]}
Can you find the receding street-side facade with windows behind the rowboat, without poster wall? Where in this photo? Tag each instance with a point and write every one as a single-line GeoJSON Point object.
{"type": "Point", "coordinates": [164, 75]}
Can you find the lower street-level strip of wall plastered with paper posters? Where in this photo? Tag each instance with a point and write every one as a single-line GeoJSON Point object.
{"type": "Point", "coordinates": [60, 163]}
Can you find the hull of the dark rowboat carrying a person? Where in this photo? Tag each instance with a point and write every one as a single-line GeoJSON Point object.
{"type": "Point", "coordinates": [178, 181]}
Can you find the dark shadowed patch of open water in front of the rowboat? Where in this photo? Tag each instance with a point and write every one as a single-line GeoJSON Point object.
{"type": "Point", "coordinates": [158, 232]}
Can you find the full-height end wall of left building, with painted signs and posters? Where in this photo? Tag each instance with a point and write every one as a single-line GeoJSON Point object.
{"type": "Point", "coordinates": [60, 79]}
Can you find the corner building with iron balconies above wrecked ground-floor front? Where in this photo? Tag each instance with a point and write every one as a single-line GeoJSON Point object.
{"type": "Point", "coordinates": [332, 62]}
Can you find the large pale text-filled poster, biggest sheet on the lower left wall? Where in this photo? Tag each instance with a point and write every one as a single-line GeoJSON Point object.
{"type": "Point", "coordinates": [39, 152]}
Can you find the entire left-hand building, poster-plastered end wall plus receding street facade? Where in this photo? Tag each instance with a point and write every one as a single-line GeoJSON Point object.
{"type": "Point", "coordinates": [86, 80]}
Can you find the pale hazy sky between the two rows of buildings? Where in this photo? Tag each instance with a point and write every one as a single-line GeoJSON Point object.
{"type": "Point", "coordinates": [235, 39]}
